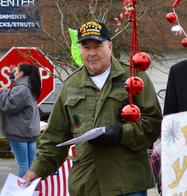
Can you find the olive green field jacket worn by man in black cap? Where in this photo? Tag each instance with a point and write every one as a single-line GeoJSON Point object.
{"type": "Point", "coordinates": [121, 168]}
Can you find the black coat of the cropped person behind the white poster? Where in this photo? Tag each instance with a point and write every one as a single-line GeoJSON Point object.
{"type": "Point", "coordinates": [176, 91]}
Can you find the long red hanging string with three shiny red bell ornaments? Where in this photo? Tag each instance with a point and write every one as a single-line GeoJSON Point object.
{"type": "Point", "coordinates": [138, 60]}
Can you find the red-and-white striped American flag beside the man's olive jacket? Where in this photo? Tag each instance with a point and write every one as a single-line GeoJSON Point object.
{"type": "Point", "coordinates": [57, 184]}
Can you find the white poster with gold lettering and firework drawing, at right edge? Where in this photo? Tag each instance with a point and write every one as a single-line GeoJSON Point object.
{"type": "Point", "coordinates": [174, 154]}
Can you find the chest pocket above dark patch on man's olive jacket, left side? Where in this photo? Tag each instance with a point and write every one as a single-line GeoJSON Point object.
{"type": "Point", "coordinates": [76, 110]}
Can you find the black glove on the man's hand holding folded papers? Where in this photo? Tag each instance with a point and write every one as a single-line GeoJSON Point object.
{"type": "Point", "coordinates": [112, 136]}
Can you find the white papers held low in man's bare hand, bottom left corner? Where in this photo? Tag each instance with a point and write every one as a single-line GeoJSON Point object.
{"type": "Point", "coordinates": [15, 186]}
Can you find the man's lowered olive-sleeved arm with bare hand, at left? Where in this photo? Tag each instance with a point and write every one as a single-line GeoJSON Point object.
{"type": "Point", "coordinates": [49, 157]}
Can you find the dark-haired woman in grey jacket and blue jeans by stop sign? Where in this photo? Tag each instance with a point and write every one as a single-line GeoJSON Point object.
{"type": "Point", "coordinates": [22, 120]}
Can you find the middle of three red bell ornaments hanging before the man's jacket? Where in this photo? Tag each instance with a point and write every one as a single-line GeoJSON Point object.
{"type": "Point", "coordinates": [136, 83]}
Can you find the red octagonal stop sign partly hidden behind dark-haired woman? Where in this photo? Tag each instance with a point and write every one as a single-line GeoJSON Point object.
{"type": "Point", "coordinates": [32, 55]}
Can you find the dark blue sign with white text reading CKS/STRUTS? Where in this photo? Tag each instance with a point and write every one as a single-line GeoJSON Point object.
{"type": "Point", "coordinates": [19, 15]}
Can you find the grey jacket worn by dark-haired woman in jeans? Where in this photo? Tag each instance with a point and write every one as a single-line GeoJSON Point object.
{"type": "Point", "coordinates": [22, 120]}
